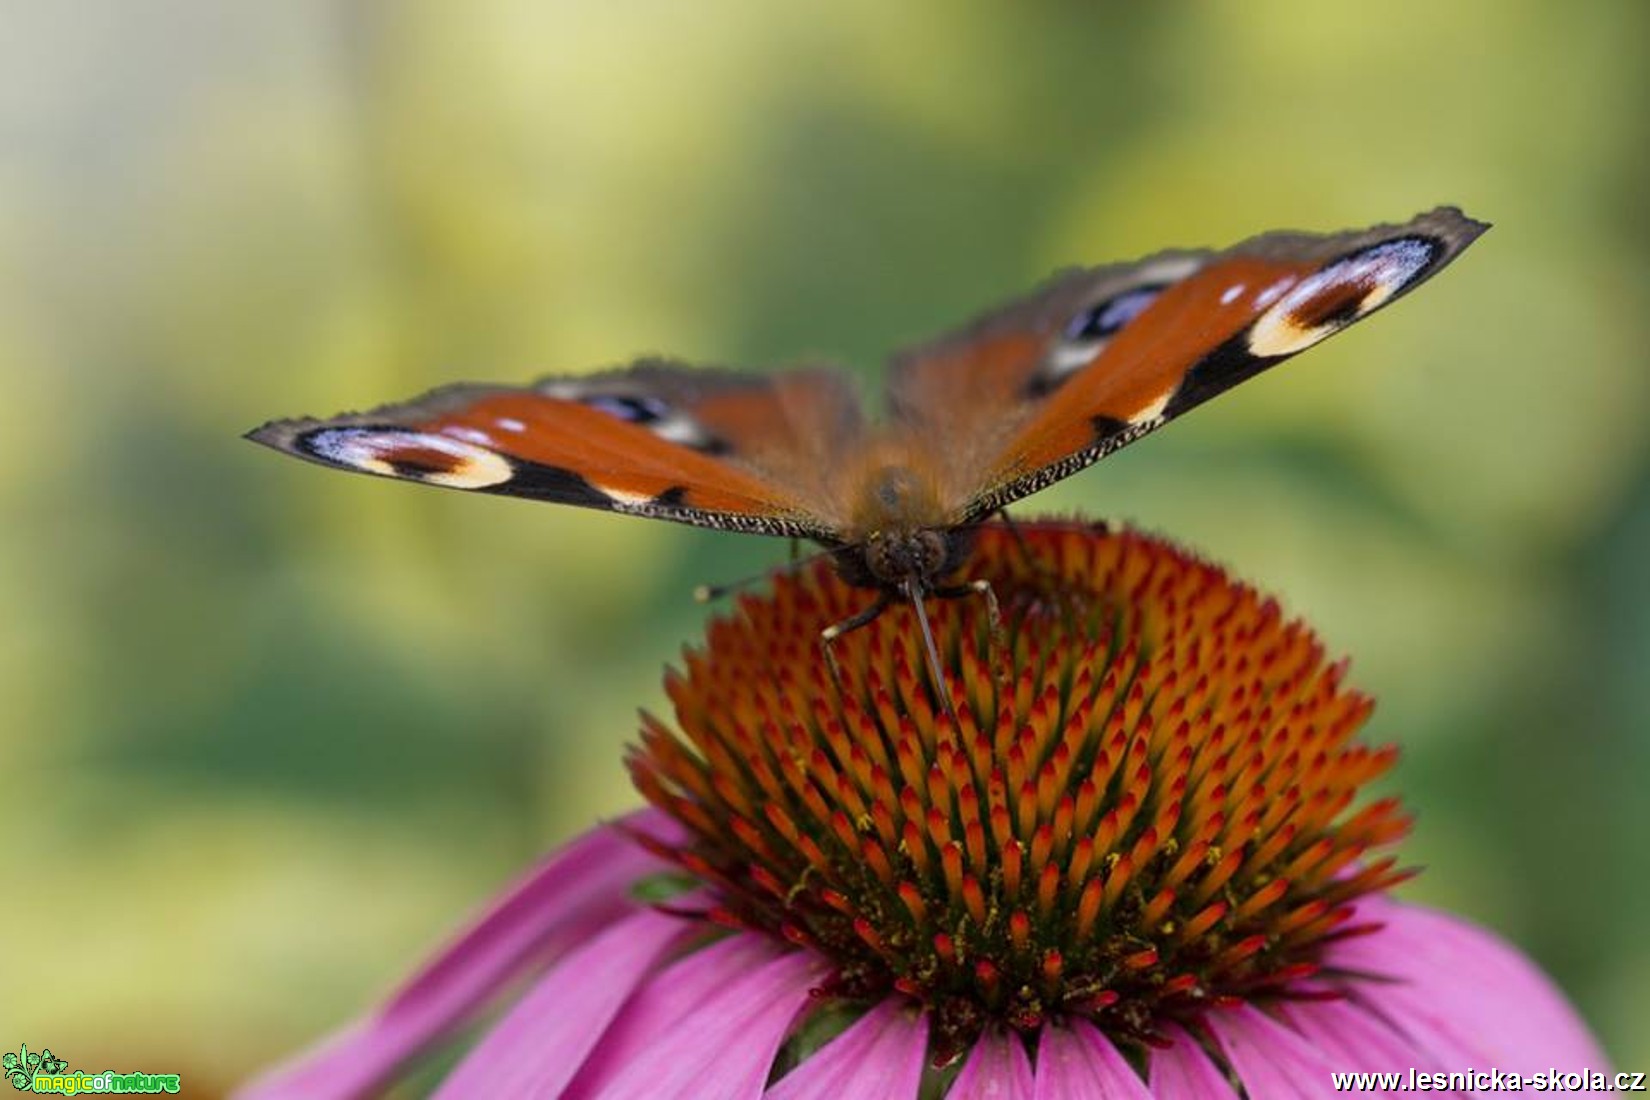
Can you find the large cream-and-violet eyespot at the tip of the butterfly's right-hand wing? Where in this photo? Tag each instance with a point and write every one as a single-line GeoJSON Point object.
{"type": "Point", "coordinates": [1347, 291]}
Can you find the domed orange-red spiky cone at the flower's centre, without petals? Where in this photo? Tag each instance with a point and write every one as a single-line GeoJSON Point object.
{"type": "Point", "coordinates": [1148, 802]}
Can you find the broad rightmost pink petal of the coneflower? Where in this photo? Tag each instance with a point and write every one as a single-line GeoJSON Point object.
{"type": "Point", "coordinates": [1464, 995]}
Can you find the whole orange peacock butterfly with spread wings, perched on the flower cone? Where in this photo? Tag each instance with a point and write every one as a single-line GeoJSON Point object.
{"type": "Point", "coordinates": [1022, 398]}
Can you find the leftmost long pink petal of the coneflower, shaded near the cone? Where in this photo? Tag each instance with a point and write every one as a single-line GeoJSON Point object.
{"type": "Point", "coordinates": [575, 891]}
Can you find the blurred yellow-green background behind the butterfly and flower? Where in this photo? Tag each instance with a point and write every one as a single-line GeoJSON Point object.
{"type": "Point", "coordinates": [270, 731]}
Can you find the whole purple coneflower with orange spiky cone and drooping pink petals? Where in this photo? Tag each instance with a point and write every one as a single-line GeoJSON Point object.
{"type": "Point", "coordinates": [1129, 857]}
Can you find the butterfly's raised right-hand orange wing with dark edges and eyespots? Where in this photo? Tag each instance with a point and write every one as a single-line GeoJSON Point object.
{"type": "Point", "coordinates": [1101, 359]}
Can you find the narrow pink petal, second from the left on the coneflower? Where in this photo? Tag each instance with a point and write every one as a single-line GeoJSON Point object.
{"type": "Point", "coordinates": [540, 1043]}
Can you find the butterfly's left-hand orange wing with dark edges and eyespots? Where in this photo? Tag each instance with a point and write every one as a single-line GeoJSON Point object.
{"type": "Point", "coordinates": [710, 448]}
